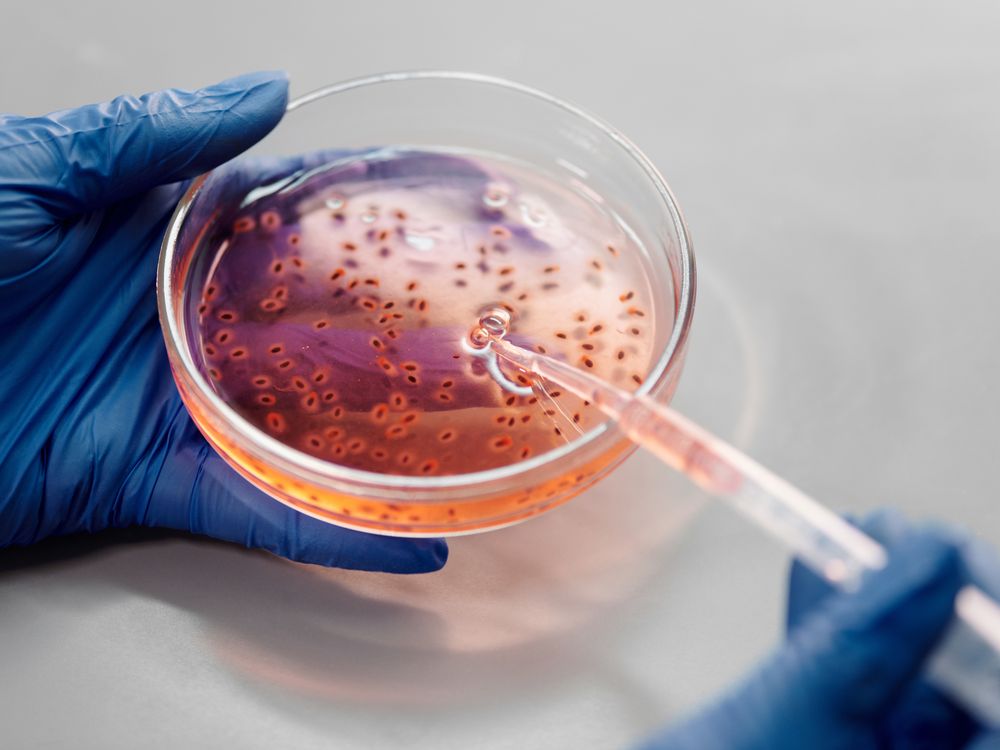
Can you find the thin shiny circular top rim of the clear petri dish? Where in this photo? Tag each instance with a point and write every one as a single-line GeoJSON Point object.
{"type": "Point", "coordinates": [329, 471]}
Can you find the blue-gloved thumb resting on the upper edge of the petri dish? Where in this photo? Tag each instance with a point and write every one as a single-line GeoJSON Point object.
{"type": "Point", "coordinates": [74, 162]}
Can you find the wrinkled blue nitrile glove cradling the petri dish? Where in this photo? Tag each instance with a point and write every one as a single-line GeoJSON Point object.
{"type": "Point", "coordinates": [92, 432]}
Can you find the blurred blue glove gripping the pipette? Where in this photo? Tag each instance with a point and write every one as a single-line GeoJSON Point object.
{"type": "Point", "coordinates": [848, 677]}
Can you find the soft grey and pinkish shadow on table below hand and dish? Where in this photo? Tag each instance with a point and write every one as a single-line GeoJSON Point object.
{"type": "Point", "coordinates": [515, 609]}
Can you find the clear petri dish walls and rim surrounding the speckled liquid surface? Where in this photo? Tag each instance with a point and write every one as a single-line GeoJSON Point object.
{"type": "Point", "coordinates": [461, 114]}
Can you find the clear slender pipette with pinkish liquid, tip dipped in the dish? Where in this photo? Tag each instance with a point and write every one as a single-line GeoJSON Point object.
{"type": "Point", "coordinates": [966, 663]}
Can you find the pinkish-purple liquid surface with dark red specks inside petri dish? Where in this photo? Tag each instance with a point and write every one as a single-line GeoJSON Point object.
{"type": "Point", "coordinates": [338, 307]}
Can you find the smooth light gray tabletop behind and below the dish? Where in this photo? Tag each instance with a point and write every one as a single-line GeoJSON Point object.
{"type": "Point", "coordinates": [839, 165]}
